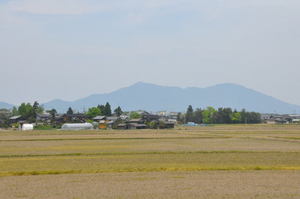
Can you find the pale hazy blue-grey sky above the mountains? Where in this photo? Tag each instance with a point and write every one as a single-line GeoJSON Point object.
{"type": "Point", "coordinates": [70, 49]}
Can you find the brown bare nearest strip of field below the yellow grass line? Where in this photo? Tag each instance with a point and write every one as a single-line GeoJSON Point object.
{"type": "Point", "coordinates": [156, 185]}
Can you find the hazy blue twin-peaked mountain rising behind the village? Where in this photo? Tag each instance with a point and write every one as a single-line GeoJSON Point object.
{"type": "Point", "coordinates": [154, 98]}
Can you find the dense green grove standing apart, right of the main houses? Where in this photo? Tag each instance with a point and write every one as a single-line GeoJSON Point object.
{"type": "Point", "coordinates": [219, 116]}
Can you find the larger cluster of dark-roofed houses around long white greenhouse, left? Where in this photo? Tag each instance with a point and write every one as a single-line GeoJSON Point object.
{"type": "Point", "coordinates": [80, 121]}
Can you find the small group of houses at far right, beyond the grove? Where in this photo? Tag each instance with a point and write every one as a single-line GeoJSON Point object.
{"type": "Point", "coordinates": [280, 119]}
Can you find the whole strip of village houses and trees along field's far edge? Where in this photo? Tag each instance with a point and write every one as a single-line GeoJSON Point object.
{"type": "Point", "coordinates": [30, 117]}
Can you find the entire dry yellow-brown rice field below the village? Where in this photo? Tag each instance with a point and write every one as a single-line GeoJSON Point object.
{"type": "Point", "coordinates": [214, 162]}
